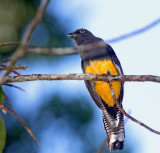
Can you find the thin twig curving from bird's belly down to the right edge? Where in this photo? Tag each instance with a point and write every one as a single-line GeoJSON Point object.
{"type": "Point", "coordinates": [127, 115]}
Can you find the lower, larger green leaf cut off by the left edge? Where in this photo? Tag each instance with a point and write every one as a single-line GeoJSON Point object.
{"type": "Point", "coordinates": [2, 135]}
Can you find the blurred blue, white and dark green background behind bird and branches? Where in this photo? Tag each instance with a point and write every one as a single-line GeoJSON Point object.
{"type": "Point", "coordinates": [61, 113]}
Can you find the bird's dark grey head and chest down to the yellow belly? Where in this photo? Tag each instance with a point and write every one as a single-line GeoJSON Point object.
{"type": "Point", "coordinates": [88, 45]}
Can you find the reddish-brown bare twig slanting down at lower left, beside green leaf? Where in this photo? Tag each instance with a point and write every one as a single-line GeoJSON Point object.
{"type": "Point", "coordinates": [5, 109]}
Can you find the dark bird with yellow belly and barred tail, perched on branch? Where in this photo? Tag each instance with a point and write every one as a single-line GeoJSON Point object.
{"type": "Point", "coordinates": [98, 57]}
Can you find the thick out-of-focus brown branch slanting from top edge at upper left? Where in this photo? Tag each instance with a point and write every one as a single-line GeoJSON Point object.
{"type": "Point", "coordinates": [26, 37]}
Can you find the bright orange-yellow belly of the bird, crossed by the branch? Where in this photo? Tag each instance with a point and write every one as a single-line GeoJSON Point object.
{"type": "Point", "coordinates": [102, 88]}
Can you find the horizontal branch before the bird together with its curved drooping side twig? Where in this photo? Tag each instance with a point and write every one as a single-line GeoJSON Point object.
{"type": "Point", "coordinates": [91, 77]}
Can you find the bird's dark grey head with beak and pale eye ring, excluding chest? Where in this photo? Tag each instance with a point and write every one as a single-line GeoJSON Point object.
{"type": "Point", "coordinates": [83, 36]}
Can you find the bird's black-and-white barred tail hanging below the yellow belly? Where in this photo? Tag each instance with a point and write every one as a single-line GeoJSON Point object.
{"type": "Point", "coordinates": [115, 130]}
